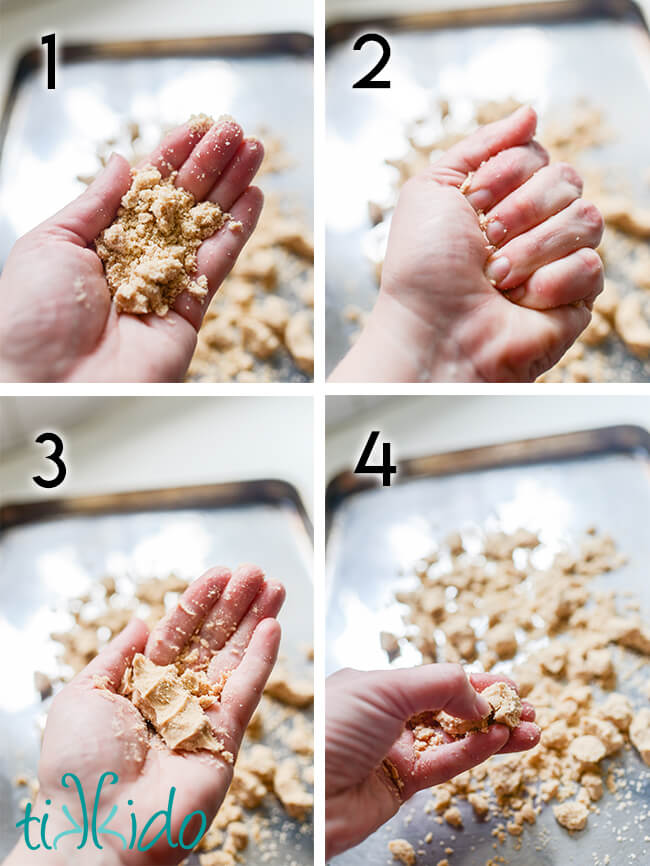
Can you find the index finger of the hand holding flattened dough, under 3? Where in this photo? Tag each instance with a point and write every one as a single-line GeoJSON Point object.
{"type": "Point", "coordinates": [173, 632]}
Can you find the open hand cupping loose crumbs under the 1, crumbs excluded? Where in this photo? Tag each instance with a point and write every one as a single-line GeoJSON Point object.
{"type": "Point", "coordinates": [48, 332]}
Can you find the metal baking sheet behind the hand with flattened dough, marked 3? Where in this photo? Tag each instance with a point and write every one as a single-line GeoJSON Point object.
{"type": "Point", "coordinates": [52, 552]}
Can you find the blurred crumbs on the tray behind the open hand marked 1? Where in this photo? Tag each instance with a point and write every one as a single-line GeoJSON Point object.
{"type": "Point", "coordinates": [259, 325]}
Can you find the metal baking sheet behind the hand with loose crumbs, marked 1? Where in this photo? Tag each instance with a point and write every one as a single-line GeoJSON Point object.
{"type": "Point", "coordinates": [47, 138]}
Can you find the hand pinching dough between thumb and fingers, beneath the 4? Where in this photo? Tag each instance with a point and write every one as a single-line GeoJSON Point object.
{"type": "Point", "coordinates": [365, 726]}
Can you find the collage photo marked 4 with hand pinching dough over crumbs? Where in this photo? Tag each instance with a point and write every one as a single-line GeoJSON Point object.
{"type": "Point", "coordinates": [487, 631]}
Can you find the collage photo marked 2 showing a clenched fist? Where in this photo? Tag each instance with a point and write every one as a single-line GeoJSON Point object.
{"type": "Point", "coordinates": [478, 157]}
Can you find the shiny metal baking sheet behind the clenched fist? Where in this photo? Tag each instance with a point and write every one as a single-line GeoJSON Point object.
{"type": "Point", "coordinates": [549, 55]}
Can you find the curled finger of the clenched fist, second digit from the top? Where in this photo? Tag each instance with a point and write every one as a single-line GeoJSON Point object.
{"type": "Point", "coordinates": [504, 173]}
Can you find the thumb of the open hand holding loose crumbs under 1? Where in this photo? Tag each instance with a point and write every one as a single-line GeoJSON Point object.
{"type": "Point", "coordinates": [95, 209]}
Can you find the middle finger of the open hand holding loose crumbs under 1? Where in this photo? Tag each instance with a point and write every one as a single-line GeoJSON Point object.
{"type": "Point", "coordinates": [209, 159]}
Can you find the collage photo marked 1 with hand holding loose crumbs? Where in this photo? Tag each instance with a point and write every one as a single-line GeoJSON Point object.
{"type": "Point", "coordinates": [142, 157]}
